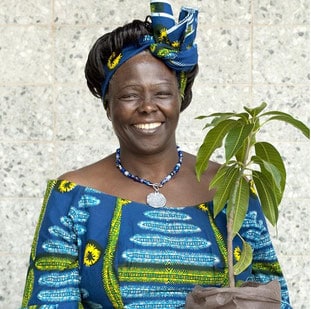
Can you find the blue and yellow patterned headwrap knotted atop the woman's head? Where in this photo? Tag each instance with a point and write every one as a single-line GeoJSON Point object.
{"type": "Point", "coordinates": [171, 42]}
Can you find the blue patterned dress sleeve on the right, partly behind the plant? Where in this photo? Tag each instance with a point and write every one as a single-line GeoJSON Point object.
{"type": "Point", "coordinates": [265, 265]}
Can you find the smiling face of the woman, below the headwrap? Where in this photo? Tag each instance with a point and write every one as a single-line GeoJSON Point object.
{"type": "Point", "coordinates": [144, 104]}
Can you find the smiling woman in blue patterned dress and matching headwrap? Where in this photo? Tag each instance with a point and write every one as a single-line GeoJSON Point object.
{"type": "Point", "coordinates": [135, 229]}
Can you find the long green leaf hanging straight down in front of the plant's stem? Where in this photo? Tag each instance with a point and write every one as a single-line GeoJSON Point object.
{"type": "Point", "coordinates": [238, 204]}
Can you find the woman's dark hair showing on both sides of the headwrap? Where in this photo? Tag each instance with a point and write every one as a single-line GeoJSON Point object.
{"type": "Point", "coordinates": [115, 41]}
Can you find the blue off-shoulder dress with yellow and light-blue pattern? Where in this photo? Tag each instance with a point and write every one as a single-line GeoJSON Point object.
{"type": "Point", "coordinates": [93, 250]}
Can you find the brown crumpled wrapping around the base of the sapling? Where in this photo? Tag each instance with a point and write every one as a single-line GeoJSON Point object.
{"type": "Point", "coordinates": [249, 295]}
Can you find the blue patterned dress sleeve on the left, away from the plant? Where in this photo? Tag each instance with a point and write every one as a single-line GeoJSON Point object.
{"type": "Point", "coordinates": [53, 274]}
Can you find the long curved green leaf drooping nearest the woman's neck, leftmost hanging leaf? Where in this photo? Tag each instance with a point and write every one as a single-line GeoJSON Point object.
{"type": "Point", "coordinates": [213, 140]}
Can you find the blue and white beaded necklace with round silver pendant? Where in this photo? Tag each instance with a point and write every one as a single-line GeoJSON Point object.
{"type": "Point", "coordinates": [154, 199]}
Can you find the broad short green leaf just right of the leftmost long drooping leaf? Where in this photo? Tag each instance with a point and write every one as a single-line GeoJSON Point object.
{"type": "Point", "coordinates": [235, 139]}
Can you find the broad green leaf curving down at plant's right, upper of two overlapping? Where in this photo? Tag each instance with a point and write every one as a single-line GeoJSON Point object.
{"type": "Point", "coordinates": [268, 153]}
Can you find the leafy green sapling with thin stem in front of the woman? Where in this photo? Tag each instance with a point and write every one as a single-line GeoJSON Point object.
{"type": "Point", "coordinates": [248, 162]}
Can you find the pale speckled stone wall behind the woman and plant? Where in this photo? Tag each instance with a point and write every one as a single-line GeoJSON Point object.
{"type": "Point", "coordinates": [250, 50]}
